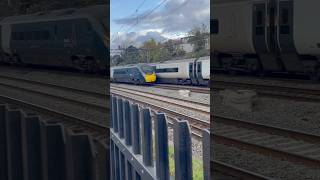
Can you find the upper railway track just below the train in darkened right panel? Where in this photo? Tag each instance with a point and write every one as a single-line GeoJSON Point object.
{"type": "Point", "coordinates": [276, 91]}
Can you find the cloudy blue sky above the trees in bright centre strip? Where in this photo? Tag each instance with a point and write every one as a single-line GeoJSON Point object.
{"type": "Point", "coordinates": [133, 22]}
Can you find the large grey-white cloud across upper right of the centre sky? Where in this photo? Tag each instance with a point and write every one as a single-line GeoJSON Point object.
{"type": "Point", "coordinates": [175, 15]}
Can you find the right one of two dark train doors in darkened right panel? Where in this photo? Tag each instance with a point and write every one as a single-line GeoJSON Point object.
{"type": "Point", "coordinates": [285, 35]}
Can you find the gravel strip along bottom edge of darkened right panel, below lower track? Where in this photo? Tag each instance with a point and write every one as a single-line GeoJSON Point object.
{"type": "Point", "coordinates": [264, 165]}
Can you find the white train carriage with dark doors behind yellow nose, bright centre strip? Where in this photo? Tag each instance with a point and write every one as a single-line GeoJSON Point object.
{"type": "Point", "coordinates": [187, 71]}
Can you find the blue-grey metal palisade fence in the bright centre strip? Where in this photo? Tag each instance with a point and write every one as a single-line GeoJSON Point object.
{"type": "Point", "coordinates": [132, 146]}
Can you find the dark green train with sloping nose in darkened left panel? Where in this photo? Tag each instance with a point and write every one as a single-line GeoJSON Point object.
{"type": "Point", "coordinates": [72, 38]}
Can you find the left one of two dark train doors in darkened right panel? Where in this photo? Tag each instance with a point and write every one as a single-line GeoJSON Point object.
{"type": "Point", "coordinates": [262, 35]}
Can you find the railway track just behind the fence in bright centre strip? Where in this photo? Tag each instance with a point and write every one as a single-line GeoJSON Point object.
{"type": "Point", "coordinates": [197, 124]}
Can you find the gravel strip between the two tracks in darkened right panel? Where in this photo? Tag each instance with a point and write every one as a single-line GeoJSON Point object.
{"type": "Point", "coordinates": [301, 116]}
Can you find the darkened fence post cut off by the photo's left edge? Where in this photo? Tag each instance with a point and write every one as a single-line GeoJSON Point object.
{"type": "Point", "coordinates": [3, 142]}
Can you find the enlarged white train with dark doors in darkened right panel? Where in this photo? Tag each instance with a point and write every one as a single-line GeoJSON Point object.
{"type": "Point", "coordinates": [266, 36]}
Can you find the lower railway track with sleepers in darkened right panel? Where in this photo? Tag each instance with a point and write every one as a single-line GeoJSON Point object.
{"type": "Point", "coordinates": [286, 144]}
